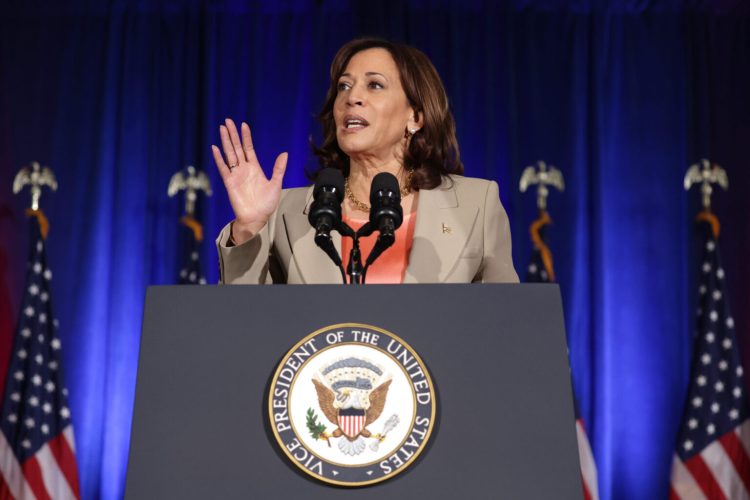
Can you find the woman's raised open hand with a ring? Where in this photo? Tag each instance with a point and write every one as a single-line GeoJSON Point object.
{"type": "Point", "coordinates": [253, 197]}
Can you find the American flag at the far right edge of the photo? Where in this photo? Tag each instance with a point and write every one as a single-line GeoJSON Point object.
{"type": "Point", "coordinates": [711, 455]}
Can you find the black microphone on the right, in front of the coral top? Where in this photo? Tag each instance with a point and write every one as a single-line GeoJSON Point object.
{"type": "Point", "coordinates": [386, 214]}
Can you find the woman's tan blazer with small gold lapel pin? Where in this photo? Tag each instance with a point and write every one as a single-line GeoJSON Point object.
{"type": "Point", "coordinates": [461, 236]}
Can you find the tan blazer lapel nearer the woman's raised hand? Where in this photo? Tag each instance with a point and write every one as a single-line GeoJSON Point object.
{"type": "Point", "coordinates": [313, 263]}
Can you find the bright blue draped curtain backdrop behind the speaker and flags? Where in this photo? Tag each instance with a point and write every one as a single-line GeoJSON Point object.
{"type": "Point", "coordinates": [623, 96]}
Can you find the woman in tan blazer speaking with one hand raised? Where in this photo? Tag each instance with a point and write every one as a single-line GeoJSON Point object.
{"type": "Point", "coordinates": [386, 111]}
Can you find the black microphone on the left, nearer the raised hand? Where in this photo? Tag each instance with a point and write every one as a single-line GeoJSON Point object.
{"type": "Point", "coordinates": [325, 211]}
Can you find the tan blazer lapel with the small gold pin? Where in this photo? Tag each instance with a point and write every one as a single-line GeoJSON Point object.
{"type": "Point", "coordinates": [440, 234]}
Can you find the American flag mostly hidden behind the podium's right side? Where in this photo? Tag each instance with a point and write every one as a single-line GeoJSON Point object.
{"type": "Point", "coordinates": [539, 271]}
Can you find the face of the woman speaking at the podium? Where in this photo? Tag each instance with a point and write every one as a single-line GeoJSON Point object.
{"type": "Point", "coordinates": [371, 110]}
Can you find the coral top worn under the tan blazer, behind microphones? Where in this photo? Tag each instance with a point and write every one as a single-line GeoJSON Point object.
{"type": "Point", "coordinates": [391, 265]}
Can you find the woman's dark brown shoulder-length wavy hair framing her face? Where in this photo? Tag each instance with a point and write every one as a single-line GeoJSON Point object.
{"type": "Point", "coordinates": [433, 151]}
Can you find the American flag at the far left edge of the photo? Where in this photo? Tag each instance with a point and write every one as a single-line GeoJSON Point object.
{"type": "Point", "coordinates": [37, 450]}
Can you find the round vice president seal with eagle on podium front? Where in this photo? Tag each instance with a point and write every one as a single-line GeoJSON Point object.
{"type": "Point", "coordinates": [352, 404]}
